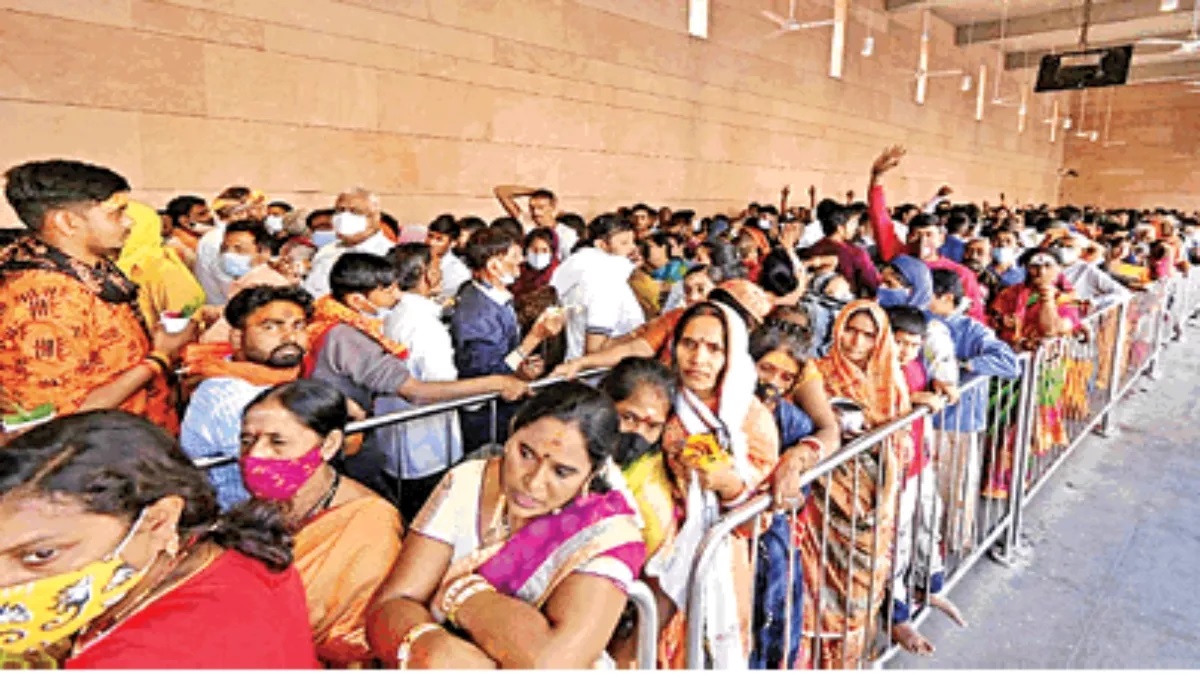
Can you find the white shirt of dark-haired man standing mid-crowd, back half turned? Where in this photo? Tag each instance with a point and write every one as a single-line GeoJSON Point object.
{"type": "Point", "coordinates": [595, 288]}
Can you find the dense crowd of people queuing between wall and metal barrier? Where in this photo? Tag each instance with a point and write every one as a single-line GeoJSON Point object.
{"type": "Point", "coordinates": [178, 487]}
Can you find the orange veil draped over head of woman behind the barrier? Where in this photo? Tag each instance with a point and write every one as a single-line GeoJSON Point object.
{"type": "Point", "coordinates": [880, 389]}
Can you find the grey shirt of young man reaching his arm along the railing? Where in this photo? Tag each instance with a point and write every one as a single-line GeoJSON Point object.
{"type": "Point", "coordinates": [359, 367]}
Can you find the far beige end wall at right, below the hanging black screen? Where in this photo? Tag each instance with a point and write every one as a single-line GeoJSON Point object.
{"type": "Point", "coordinates": [1153, 156]}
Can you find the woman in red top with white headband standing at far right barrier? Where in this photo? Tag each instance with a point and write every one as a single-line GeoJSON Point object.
{"type": "Point", "coordinates": [1029, 314]}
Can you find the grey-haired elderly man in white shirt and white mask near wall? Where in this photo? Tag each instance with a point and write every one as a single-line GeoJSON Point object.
{"type": "Point", "coordinates": [359, 230]}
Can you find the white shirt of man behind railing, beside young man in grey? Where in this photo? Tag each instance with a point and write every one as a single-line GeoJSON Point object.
{"type": "Point", "coordinates": [425, 446]}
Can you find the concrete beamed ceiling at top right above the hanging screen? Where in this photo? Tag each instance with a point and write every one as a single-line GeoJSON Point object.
{"type": "Point", "coordinates": [1029, 29]}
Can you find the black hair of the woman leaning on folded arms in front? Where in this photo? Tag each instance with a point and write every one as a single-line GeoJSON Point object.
{"type": "Point", "coordinates": [591, 410]}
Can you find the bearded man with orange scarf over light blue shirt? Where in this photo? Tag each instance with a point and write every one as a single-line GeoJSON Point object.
{"type": "Point", "coordinates": [268, 344]}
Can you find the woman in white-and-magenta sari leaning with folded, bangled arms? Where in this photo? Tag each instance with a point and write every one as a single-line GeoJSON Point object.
{"type": "Point", "coordinates": [523, 560]}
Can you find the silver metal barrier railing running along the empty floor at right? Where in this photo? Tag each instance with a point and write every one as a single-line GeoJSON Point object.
{"type": "Point", "coordinates": [947, 517]}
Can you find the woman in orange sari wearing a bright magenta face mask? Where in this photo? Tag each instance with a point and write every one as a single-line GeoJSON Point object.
{"type": "Point", "coordinates": [346, 536]}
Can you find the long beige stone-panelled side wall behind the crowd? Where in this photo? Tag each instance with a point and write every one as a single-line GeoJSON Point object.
{"type": "Point", "coordinates": [433, 103]}
